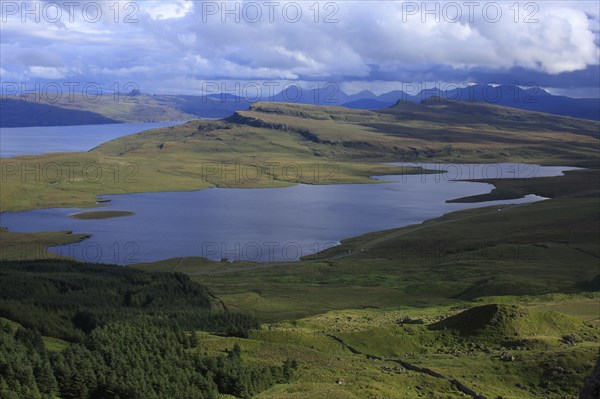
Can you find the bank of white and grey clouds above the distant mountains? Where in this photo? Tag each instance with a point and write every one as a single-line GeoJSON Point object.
{"type": "Point", "coordinates": [178, 41]}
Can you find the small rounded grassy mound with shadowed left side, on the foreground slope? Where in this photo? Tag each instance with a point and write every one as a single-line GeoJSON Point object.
{"type": "Point", "coordinates": [496, 323]}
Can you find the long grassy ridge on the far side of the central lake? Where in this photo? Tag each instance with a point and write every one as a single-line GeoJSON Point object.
{"type": "Point", "coordinates": [273, 145]}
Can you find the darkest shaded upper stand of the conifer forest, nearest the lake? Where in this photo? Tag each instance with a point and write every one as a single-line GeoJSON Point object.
{"type": "Point", "coordinates": [67, 300]}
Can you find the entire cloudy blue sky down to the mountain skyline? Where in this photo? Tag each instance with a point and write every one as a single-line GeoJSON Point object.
{"type": "Point", "coordinates": [190, 47]}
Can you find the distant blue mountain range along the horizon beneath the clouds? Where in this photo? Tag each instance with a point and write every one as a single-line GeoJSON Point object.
{"type": "Point", "coordinates": [139, 107]}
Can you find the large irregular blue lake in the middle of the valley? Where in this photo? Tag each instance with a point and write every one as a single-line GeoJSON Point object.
{"type": "Point", "coordinates": [265, 224]}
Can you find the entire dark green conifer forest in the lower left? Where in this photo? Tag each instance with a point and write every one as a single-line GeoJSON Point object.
{"type": "Point", "coordinates": [131, 335]}
